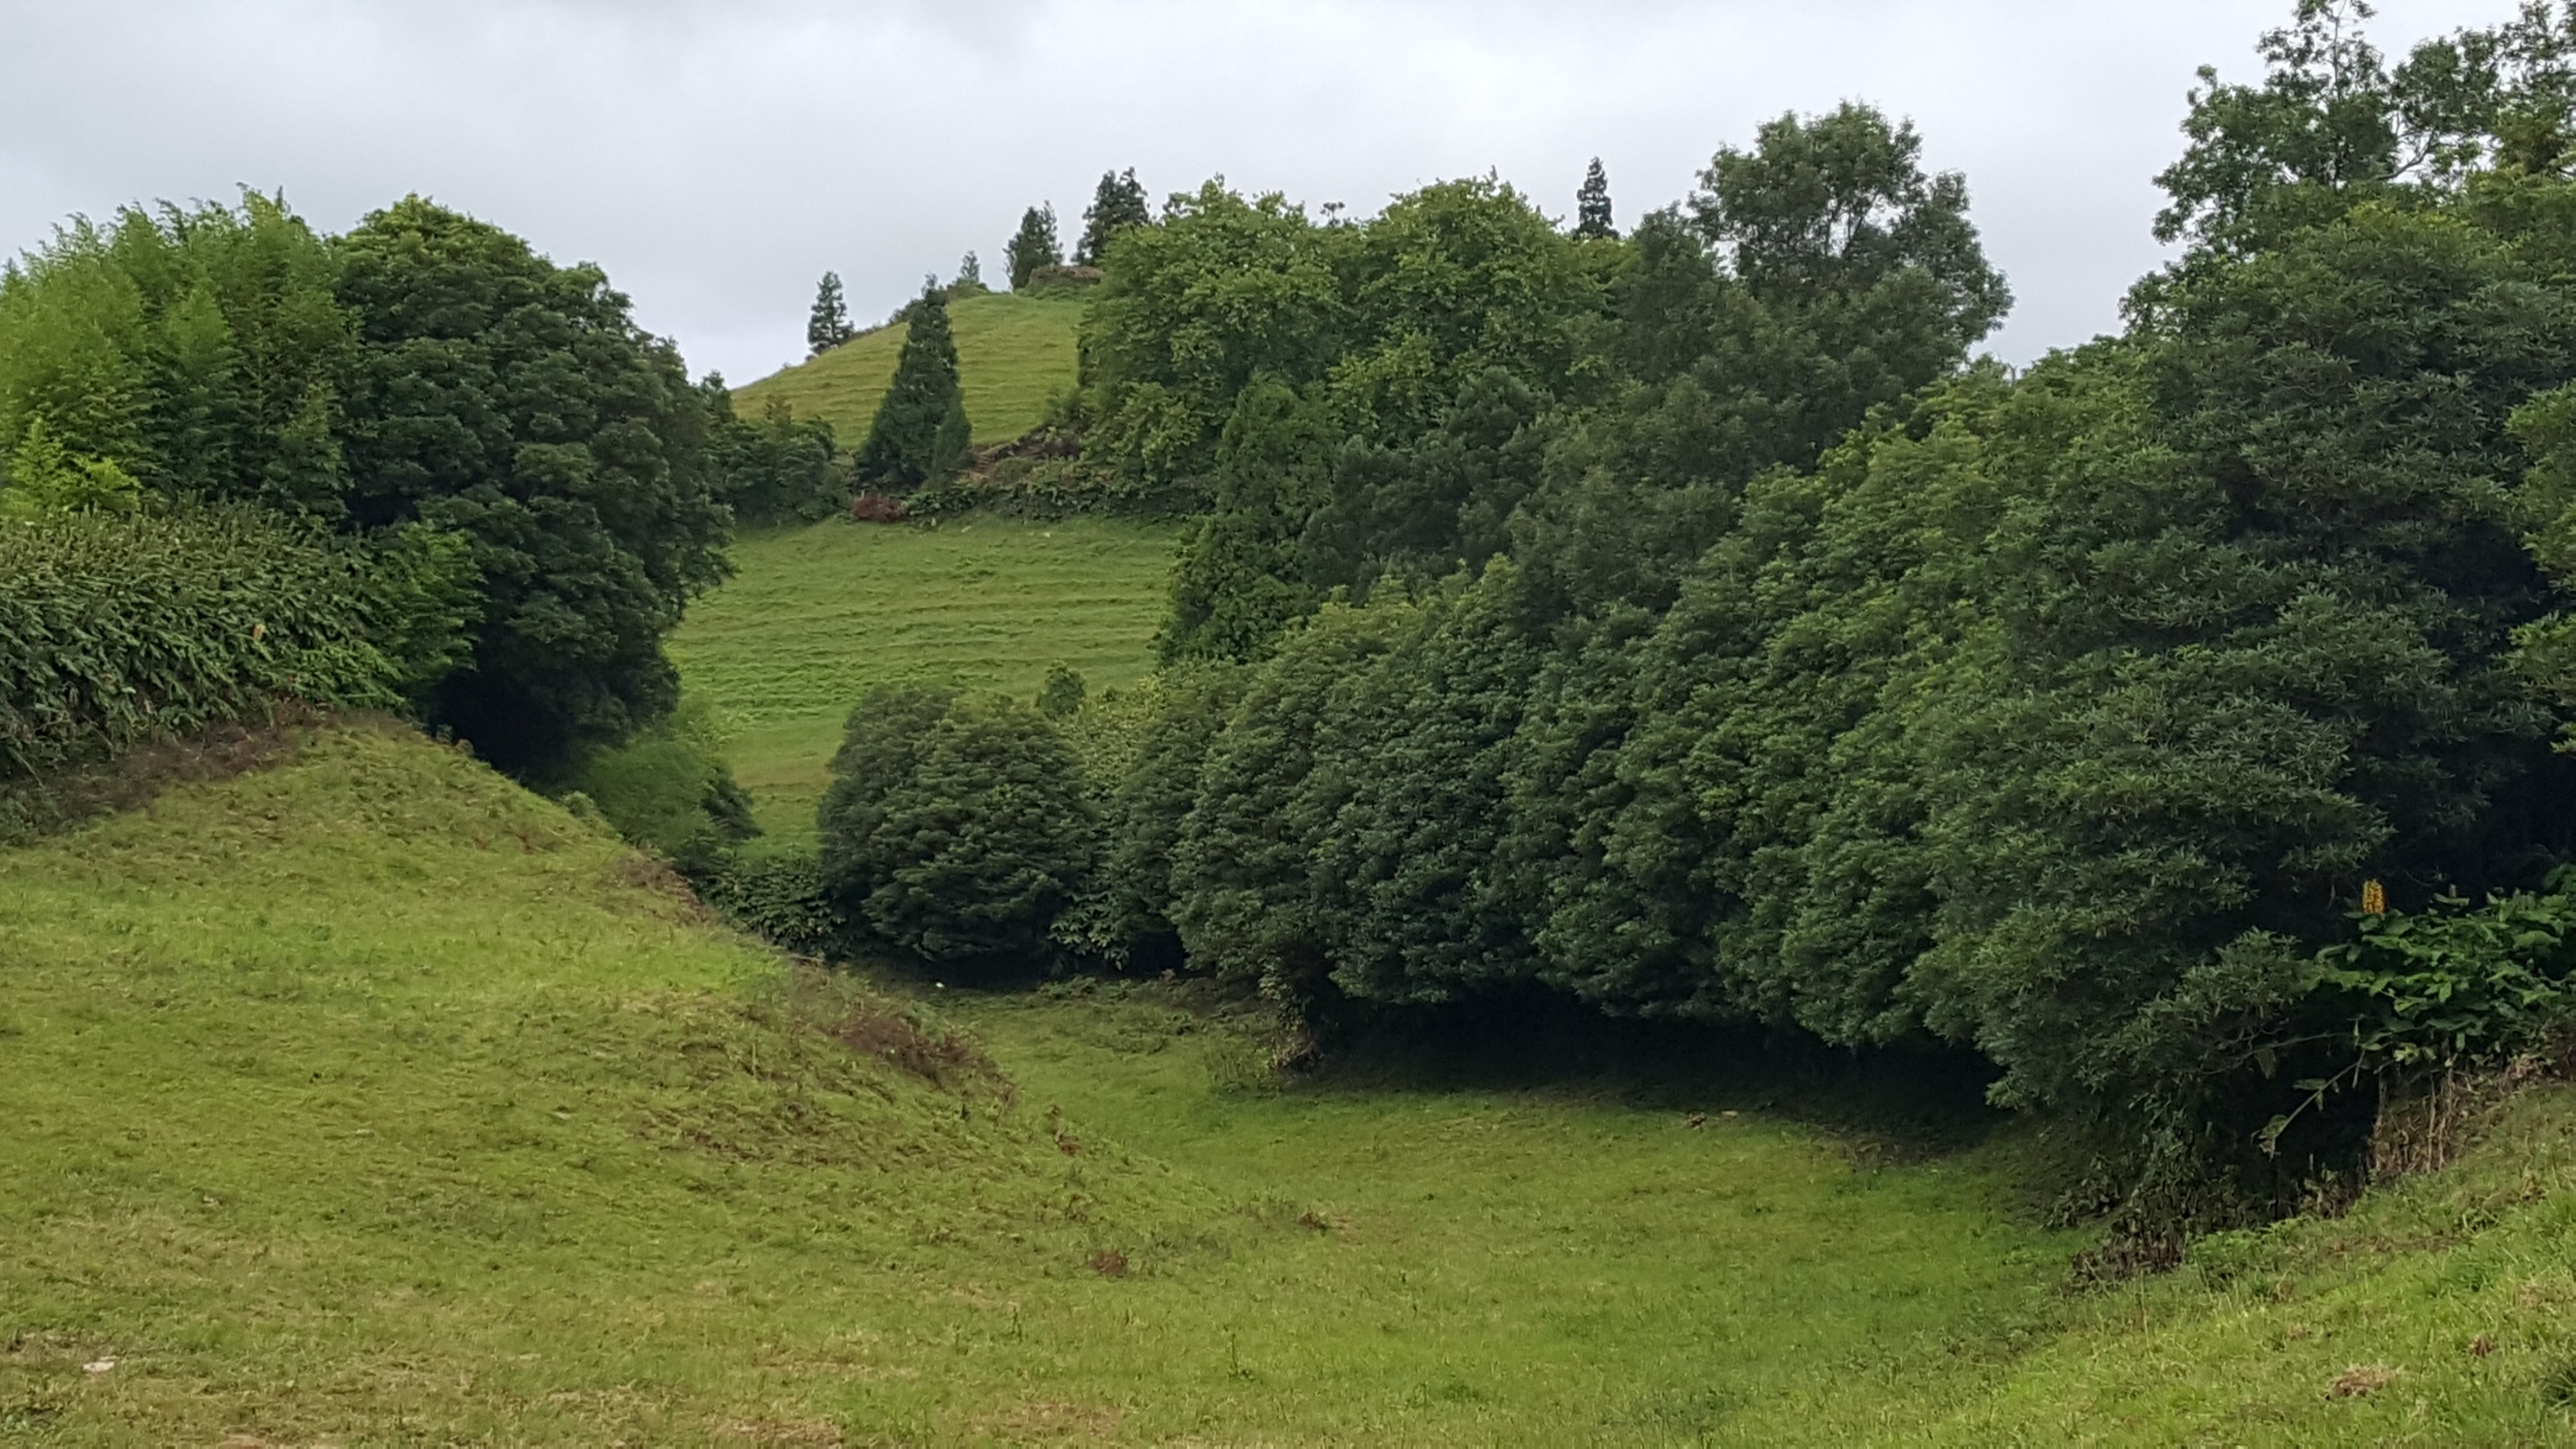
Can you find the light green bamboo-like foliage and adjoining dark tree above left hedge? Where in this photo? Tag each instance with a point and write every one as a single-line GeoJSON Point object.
{"type": "Point", "coordinates": [424, 370]}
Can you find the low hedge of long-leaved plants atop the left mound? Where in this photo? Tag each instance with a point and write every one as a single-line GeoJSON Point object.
{"type": "Point", "coordinates": [128, 630]}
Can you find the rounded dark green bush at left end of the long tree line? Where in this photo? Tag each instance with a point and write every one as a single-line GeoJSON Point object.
{"type": "Point", "coordinates": [954, 829]}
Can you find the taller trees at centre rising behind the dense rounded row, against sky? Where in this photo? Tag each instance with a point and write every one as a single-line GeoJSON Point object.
{"type": "Point", "coordinates": [1385, 398]}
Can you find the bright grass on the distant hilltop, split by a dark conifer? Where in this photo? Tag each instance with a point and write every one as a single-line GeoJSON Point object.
{"type": "Point", "coordinates": [1014, 355]}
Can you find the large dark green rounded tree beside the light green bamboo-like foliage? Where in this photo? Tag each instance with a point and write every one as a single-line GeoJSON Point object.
{"type": "Point", "coordinates": [516, 404]}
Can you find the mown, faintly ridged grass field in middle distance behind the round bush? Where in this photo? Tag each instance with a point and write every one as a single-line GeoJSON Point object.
{"type": "Point", "coordinates": [815, 618]}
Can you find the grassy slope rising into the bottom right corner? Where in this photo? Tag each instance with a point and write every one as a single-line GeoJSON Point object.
{"type": "Point", "coordinates": [2454, 1293]}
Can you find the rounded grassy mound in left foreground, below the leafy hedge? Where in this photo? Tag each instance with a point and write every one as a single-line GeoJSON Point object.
{"type": "Point", "coordinates": [372, 1097]}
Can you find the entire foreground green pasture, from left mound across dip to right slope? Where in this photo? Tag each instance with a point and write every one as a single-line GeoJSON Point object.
{"type": "Point", "coordinates": [372, 1100]}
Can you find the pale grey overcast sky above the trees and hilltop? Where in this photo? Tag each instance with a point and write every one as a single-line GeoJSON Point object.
{"type": "Point", "coordinates": [720, 156]}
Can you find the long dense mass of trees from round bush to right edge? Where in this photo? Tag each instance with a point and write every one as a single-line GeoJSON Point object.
{"type": "Point", "coordinates": [1691, 625]}
